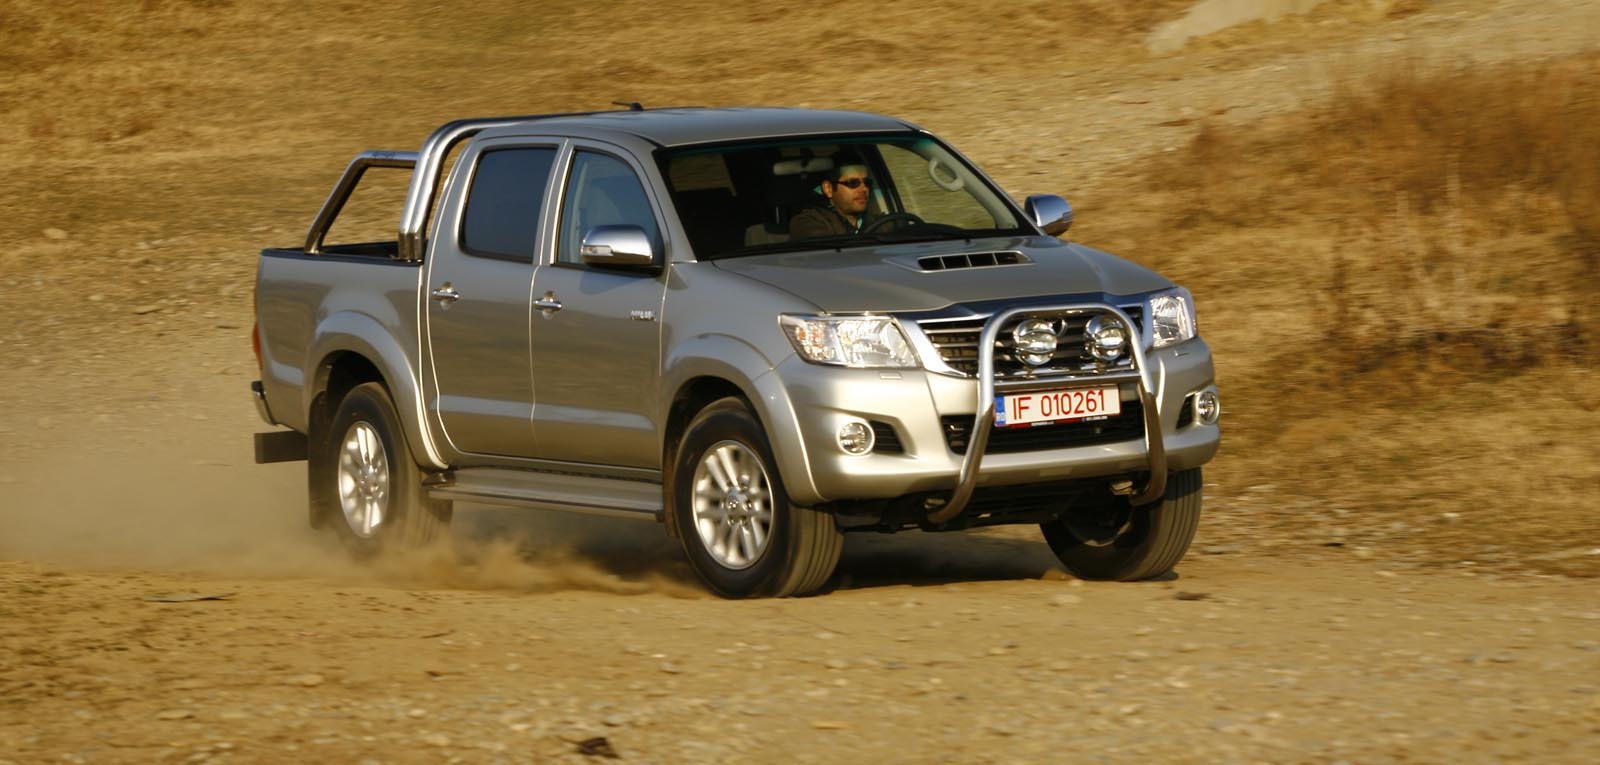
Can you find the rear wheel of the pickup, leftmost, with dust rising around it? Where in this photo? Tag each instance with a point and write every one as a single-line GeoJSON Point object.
{"type": "Point", "coordinates": [366, 484]}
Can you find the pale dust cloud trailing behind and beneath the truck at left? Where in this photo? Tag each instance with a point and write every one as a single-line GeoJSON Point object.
{"type": "Point", "coordinates": [196, 502]}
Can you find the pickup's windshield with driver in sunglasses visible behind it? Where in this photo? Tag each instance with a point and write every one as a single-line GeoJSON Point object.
{"type": "Point", "coordinates": [830, 193]}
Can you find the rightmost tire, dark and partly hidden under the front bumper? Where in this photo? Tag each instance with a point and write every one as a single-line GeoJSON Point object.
{"type": "Point", "coordinates": [1119, 543]}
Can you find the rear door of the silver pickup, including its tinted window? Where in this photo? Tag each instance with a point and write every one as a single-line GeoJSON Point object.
{"type": "Point", "coordinates": [479, 279]}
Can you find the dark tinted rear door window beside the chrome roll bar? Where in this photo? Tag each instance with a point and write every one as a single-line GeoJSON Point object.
{"type": "Point", "coordinates": [505, 202]}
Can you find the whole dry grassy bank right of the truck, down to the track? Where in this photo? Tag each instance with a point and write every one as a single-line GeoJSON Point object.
{"type": "Point", "coordinates": [1401, 286]}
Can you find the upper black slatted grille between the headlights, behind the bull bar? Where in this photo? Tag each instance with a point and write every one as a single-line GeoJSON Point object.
{"type": "Point", "coordinates": [956, 340]}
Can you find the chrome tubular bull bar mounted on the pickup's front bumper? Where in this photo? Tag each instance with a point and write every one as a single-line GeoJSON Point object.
{"type": "Point", "coordinates": [1142, 372]}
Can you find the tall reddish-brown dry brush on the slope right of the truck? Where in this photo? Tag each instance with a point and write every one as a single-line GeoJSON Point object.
{"type": "Point", "coordinates": [1462, 206]}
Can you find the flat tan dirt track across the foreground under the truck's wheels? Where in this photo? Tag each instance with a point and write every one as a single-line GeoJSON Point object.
{"type": "Point", "coordinates": [935, 651]}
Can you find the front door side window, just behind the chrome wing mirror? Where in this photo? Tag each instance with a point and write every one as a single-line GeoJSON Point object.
{"type": "Point", "coordinates": [602, 191]}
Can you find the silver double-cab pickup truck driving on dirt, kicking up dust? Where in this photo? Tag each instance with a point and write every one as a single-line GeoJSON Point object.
{"type": "Point", "coordinates": [759, 327]}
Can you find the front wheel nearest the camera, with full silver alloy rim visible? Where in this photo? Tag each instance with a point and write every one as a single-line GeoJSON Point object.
{"type": "Point", "coordinates": [745, 540]}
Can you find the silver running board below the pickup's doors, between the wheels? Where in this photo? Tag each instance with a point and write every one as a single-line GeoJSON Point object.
{"type": "Point", "coordinates": [591, 495]}
